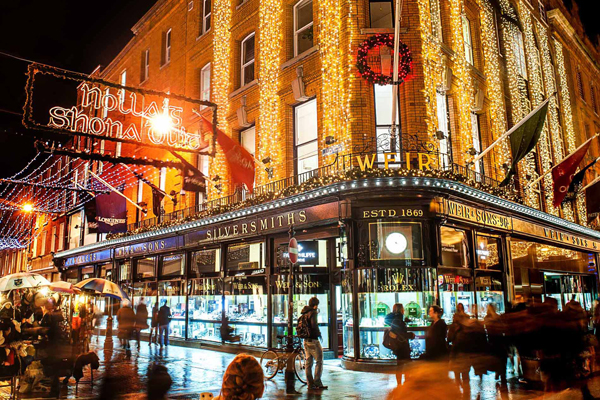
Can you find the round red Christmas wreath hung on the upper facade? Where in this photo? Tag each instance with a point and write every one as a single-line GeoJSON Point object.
{"type": "Point", "coordinates": [378, 78]}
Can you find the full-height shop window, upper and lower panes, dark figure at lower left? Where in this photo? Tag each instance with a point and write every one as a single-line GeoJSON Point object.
{"type": "Point", "coordinates": [246, 291]}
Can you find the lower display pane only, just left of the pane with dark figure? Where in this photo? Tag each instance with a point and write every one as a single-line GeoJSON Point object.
{"type": "Point", "coordinates": [205, 307]}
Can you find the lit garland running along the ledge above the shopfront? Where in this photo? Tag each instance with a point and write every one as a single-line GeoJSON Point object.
{"type": "Point", "coordinates": [317, 182]}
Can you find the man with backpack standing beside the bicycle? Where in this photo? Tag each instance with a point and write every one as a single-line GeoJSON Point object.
{"type": "Point", "coordinates": [308, 329]}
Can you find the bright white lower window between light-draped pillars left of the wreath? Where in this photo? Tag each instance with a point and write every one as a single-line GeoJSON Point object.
{"type": "Point", "coordinates": [306, 132]}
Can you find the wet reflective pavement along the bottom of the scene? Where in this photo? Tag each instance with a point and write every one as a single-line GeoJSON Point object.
{"type": "Point", "coordinates": [198, 370]}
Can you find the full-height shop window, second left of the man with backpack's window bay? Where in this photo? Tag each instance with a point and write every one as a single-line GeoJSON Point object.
{"type": "Point", "coordinates": [205, 295]}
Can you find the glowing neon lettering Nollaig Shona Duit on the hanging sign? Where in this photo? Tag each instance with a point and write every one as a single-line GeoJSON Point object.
{"type": "Point", "coordinates": [124, 118]}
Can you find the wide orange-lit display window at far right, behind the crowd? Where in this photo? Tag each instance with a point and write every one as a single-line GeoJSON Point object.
{"type": "Point", "coordinates": [543, 270]}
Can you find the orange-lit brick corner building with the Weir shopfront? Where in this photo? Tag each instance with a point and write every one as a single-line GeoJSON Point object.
{"type": "Point", "coordinates": [379, 221]}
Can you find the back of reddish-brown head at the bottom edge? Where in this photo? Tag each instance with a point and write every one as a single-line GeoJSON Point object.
{"type": "Point", "coordinates": [243, 380]}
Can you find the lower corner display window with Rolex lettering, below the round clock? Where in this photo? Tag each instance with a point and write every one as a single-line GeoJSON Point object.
{"type": "Point", "coordinates": [378, 290]}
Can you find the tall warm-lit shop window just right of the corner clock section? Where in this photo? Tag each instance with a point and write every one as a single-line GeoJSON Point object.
{"type": "Point", "coordinates": [455, 273]}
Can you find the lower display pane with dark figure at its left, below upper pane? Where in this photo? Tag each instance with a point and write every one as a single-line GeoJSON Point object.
{"type": "Point", "coordinates": [246, 310]}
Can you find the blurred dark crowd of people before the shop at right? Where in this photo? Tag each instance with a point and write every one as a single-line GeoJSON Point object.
{"type": "Point", "coordinates": [535, 342]}
